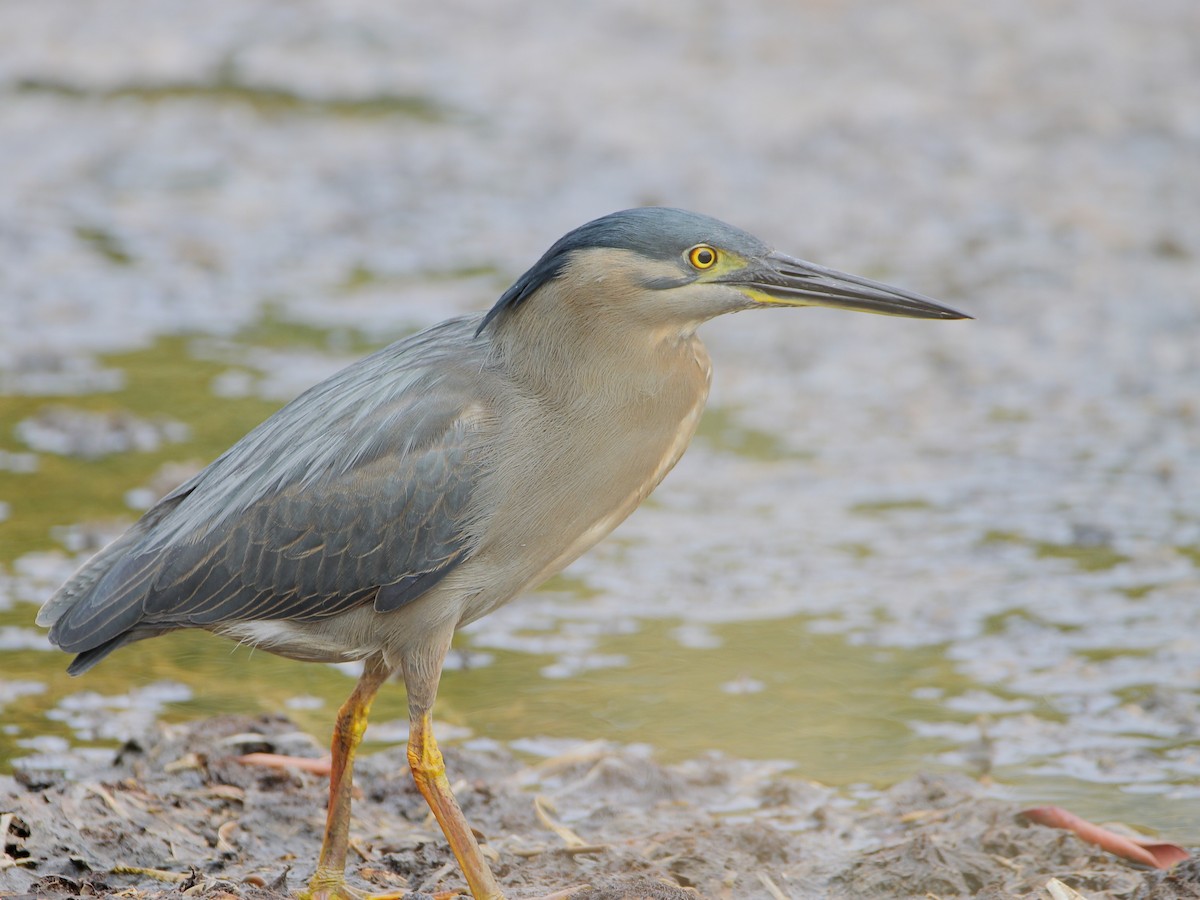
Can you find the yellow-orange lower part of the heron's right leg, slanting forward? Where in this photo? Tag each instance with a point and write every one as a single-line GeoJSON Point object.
{"type": "Point", "coordinates": [430, 773]}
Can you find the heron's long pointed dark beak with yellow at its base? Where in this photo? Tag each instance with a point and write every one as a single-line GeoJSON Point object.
{"type": "Point", "coordinates": [787, 281]}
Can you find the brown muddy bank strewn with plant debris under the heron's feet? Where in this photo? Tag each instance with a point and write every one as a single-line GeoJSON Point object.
{"type": "Point", "coordinates": [611, 818]}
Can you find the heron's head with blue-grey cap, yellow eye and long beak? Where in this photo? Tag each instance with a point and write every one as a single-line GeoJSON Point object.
{"type": "Point", "coordinates": [673, 267]}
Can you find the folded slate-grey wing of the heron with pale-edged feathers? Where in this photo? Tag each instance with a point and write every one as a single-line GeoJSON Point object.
{"type": "Point", "coordinates": [359, 491]}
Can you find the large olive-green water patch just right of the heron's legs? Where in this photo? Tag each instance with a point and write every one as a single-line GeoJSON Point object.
{"type": "Point", "coordinates": [773, 689]}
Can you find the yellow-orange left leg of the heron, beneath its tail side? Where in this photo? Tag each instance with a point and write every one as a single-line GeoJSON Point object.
{"type": "Point", "coordinates": [329, 881]}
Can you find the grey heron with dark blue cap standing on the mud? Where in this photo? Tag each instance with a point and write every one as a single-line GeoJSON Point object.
{"type": "Point", "coordinates": [435, 481]}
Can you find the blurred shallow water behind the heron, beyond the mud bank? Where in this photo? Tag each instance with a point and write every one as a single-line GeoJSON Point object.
{"type": "Point", "coordinates": [896, 547]}
